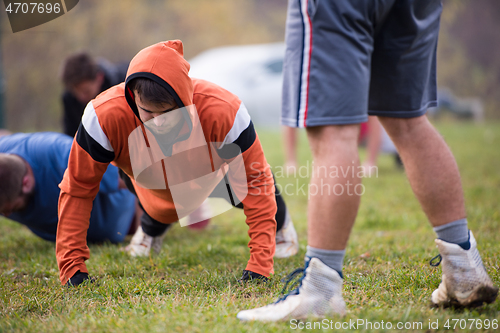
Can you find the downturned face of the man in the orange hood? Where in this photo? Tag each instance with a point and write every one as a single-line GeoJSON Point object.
{"type": "Point", "coordinates": [159, 118]}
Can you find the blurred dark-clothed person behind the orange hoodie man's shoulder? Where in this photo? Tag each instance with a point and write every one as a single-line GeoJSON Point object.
{"type": "Point", "coordinates": [84, 78]}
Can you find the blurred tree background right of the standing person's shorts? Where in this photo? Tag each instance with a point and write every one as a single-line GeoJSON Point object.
{"type": "Point", "coordinates": [469, 49]}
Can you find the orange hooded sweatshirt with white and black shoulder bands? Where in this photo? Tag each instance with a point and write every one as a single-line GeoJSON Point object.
{"type": "Point", "coordinates": [107, 126]}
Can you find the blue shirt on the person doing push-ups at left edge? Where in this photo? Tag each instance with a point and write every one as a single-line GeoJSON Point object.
{"type": "Point", "coordinates": [47, 154]}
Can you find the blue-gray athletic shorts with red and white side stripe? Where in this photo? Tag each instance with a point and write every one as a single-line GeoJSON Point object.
{"type": "Point", "coordinates": [347, 59]}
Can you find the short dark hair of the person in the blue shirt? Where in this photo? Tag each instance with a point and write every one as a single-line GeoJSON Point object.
{"type": "Point", "coordinates": [12, 171]}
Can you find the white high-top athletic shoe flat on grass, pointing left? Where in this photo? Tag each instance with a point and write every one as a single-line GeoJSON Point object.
{"type": "Point", "coordinates": [319, 294]}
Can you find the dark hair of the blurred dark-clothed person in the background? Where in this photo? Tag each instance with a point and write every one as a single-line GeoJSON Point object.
{"type": "Point", "coordinates": [78, 68]}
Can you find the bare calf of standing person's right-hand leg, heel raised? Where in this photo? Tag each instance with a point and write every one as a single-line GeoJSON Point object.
{"type": "Point", "coordinates": [430, 167]}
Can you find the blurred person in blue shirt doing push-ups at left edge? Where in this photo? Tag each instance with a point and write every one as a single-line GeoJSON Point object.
{"type": "Point", "coordinates": [31, 168]}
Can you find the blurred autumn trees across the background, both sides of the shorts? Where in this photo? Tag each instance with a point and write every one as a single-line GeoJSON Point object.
{"type": "Point", "coordinates": [468, 51]}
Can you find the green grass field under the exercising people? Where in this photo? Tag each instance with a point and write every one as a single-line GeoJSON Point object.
{"type": "Point", "coordinates": [192, 286]}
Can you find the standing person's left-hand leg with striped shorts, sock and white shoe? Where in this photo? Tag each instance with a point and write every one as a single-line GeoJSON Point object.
{"type": "Point", "coordinates": [326, 84]}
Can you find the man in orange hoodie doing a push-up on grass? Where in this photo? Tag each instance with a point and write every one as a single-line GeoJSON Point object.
{"type": "Point", "coordinates": [178, 141]}
